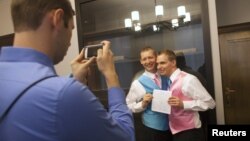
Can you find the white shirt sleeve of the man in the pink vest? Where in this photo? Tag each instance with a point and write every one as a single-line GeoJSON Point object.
{"type": "Point", "coordinates": [201, 99]}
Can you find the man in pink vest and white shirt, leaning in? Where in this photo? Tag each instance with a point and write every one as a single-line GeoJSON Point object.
{"type": "Point", "coordinates": [188, 97]}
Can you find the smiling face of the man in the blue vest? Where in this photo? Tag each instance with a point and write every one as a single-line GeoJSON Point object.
{"type": "Point", "coordinates": [148, 60]}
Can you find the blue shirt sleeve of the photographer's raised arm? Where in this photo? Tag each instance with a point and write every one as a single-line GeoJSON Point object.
{"type": "Point", "coordinates": [81, 116]}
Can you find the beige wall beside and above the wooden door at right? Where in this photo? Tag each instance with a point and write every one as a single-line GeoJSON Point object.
{"type": "Point", "coordinates": [226, 12]}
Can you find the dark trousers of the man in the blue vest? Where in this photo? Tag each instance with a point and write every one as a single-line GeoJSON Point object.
{"type": "Point", "coordinates": [157, 135]}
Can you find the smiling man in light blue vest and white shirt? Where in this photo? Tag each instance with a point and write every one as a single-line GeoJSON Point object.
{"type": "Point", "coordinates": [140, 96]}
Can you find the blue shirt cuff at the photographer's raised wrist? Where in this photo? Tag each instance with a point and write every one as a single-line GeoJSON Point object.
{"type": "Point", "coordinates": [116, 95]}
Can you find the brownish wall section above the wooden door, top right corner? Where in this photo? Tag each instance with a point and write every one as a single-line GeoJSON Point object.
{"type": "Point", "coordinates": [231, 12]}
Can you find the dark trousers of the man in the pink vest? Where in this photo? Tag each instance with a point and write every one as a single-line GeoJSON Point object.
{"type": "Point", "coordinates": [190, 135]}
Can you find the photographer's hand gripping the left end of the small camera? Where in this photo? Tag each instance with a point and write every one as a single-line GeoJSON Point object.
{"type": "Point", "coordinates": [80, 67]}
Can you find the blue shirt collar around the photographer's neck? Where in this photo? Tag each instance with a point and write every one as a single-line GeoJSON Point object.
{"type": "Point", "coordinates": [12, 54]}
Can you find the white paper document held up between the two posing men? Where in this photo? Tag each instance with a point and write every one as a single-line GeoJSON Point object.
{"type": "Point", "coordinates": [160, 101]}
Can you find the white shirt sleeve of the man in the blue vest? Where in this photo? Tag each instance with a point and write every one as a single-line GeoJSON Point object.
{"type": "Point", "coordinates": [134, 97]}
